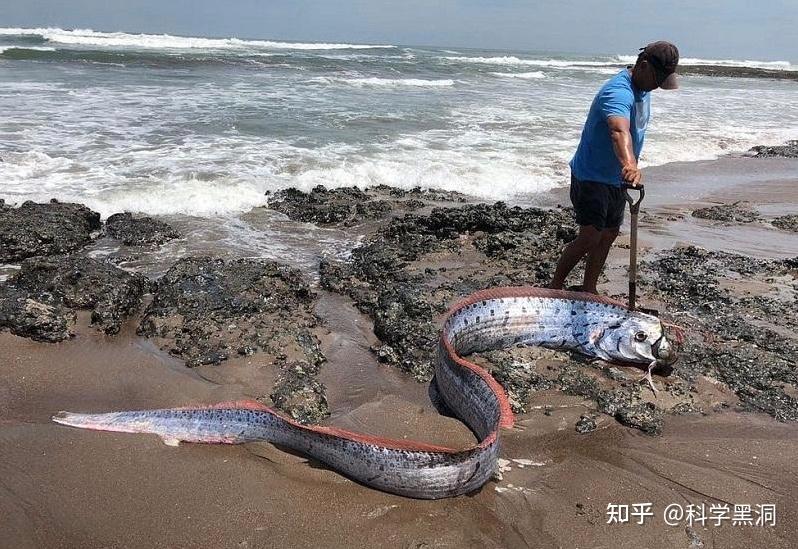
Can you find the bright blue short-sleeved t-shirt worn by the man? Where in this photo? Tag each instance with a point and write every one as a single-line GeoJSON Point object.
{"type": "Point", "coordinates": [595, 158]}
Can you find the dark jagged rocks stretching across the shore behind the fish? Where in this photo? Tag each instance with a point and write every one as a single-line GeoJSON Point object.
{"type": "Point", "coordinates": [420, 252]}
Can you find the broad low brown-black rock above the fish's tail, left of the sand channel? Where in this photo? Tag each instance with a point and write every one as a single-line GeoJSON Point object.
{"type": "Point", "coordinates": [207, 309]}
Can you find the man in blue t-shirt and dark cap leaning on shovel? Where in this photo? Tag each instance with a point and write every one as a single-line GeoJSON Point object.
{"type": "Point", "coordinates": [607, 157]}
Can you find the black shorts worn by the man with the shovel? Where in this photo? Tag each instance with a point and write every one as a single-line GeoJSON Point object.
{"type": "Point", "coordinates": [597, 204]}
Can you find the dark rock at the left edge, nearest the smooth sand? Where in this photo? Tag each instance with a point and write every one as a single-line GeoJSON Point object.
{"type": "Point", "coordinates": [38, 300]}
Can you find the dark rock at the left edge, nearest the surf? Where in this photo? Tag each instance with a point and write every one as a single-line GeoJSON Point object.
{"type": "Point", "coordinates": [44, 229]}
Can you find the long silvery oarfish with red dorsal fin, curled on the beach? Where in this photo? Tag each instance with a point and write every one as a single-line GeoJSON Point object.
{"type": "Point", "coordinates": [490, 319]}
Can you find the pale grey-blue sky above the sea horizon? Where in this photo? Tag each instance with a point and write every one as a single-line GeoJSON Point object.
{"type": "Point", "coordinates": [701, 28]}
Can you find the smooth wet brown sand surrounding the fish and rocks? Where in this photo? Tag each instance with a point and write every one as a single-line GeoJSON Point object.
{"type": "Point", "coordinates": [61, 487]}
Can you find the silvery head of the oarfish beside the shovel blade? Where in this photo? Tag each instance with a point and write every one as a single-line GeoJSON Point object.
{"type": "Point", "coordinates": [639, 338]}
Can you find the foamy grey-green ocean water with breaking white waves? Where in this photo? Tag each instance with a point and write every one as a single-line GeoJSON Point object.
{"type": "Point", "coordinates": [204, 127]}
